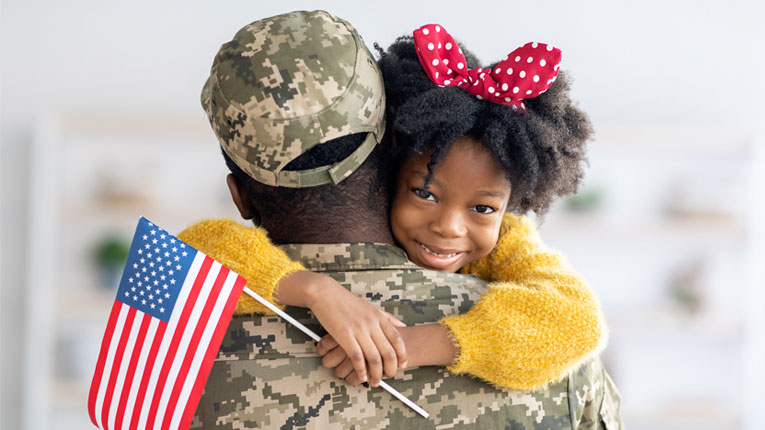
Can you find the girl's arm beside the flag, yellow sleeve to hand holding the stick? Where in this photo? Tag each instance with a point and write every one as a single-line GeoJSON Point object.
{"type": "Point", "coordinates": [365, 331]}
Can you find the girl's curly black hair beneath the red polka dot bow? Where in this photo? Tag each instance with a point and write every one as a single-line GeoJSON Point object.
{"type": "Point", "coordinates": [542, 152]}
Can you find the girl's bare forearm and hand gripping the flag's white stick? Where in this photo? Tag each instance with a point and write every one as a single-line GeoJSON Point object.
{"type": "Point", "coordinates": [366, 334]}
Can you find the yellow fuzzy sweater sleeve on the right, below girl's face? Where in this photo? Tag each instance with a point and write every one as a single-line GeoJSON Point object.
{"type": "Point", "coordinates": [538, 320]}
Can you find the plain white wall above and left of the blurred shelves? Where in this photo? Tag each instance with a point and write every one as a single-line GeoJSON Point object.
{"type": "Point", "coordinates": [647, 62]}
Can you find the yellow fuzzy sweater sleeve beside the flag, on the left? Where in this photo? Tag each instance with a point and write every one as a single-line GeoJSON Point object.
{"type": "Point", "coordinates": [248, 252]}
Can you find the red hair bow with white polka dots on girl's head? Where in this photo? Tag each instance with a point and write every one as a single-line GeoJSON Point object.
{"type": "Point", "coordinates": [525, 73]}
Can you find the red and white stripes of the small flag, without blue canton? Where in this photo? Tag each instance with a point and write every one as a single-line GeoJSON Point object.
{"type": "Point", "coordinates": [150, 374]}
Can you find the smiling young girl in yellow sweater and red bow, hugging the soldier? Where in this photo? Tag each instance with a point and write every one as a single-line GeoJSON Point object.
{"type": "Point", "coordinates": [474, 147]}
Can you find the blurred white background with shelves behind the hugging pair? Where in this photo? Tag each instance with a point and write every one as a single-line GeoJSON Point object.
{"type": "Point", "coordinates": [674, 89]}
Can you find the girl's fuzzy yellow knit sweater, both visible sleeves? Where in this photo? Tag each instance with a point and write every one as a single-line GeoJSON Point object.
{"type": "Point", "coordinates": [537, 321]}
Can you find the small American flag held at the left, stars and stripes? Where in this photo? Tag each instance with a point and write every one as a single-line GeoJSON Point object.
{"type": "Point", "coordinates": [172, 309]}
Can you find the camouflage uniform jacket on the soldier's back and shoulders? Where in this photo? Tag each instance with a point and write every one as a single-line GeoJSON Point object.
{"type": "Point", "coordinates": [268, 376]}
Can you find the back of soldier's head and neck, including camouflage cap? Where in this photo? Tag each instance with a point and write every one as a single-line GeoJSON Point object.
{"type": "Point", "coordinates": [297, 103]}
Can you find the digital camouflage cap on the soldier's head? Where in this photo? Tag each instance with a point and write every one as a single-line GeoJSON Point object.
{"type": "Point", "coordinates": [288, 83]}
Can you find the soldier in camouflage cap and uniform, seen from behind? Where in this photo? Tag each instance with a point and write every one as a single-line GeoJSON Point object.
{"type": "Point", "coordinates": [297, 103]}
